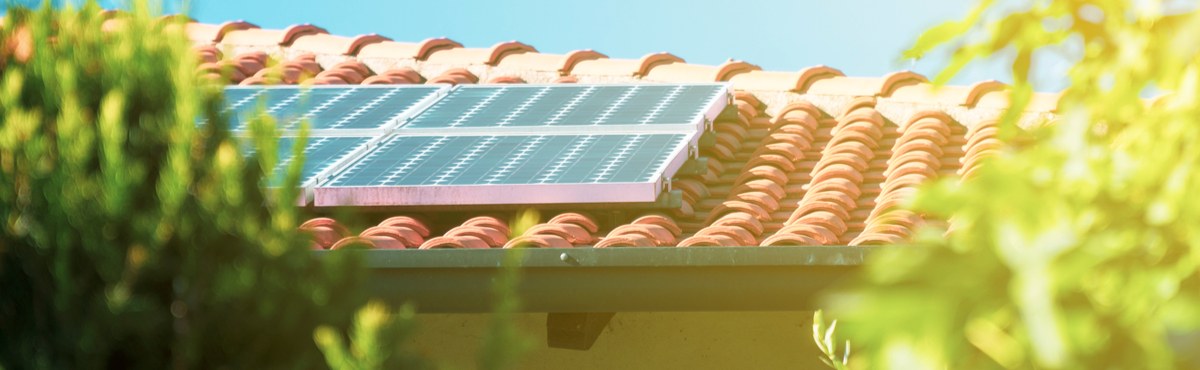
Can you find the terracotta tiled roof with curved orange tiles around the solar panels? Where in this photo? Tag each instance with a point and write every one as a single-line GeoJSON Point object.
{"type": "Point", "coordinates": [812, 158]}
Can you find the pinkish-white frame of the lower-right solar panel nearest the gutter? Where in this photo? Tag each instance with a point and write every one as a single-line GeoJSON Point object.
{"type": "Point", "coordinates": [327, 195]}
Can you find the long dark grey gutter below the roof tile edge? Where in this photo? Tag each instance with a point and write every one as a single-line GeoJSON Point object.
{"type": "Point", "coordinates": [616, 281]}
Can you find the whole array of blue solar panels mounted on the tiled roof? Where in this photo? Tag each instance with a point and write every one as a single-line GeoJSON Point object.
{"type": "Point", "coordinates": [484, 145]}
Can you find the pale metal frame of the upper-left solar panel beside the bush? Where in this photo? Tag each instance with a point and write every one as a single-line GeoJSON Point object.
{"type": "Point", "coordinates": [437, 93]}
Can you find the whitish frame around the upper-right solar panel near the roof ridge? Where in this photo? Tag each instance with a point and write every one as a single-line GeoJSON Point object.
{"type": "Point", "coordinates": [700, 122]}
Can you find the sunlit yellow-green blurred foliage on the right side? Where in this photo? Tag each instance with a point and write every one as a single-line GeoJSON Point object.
{"type": "Point", "coordinates": [1078, 249]}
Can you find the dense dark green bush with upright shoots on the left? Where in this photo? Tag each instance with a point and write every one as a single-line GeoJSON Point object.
{"type": "Point", "coordinates": [131, 237]}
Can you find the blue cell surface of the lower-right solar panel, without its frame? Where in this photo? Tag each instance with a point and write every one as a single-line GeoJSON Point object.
{"type": "Point", "coordinates": [512, 160]}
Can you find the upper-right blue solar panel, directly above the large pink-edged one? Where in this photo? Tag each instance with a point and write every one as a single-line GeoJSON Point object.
{"type": "Point", "coordinates": [662, 109]}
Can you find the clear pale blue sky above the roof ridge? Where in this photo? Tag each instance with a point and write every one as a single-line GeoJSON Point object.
{"type": "Point", "coordinates": [861, 38]}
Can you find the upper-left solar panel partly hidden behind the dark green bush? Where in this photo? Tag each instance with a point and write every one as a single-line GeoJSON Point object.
{"type": "Point", "coordinates": [334, 109]}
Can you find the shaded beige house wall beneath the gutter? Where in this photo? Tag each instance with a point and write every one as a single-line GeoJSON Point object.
{"type": "Point", "coordinates": [640, 341]}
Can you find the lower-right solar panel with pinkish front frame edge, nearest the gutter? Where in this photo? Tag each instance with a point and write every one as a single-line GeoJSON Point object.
{"type": "Point", "coordinates": [508, 170]}
